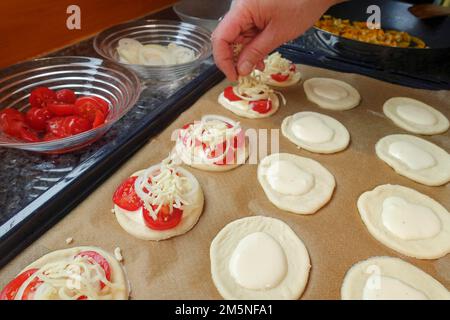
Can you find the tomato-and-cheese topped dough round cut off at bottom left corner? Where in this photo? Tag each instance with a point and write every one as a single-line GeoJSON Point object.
{"type": "Point", "coordinates": [81, 273]}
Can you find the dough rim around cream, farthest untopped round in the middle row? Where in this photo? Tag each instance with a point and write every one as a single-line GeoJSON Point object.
{"type": "Point", "coordinates": [349, 102]}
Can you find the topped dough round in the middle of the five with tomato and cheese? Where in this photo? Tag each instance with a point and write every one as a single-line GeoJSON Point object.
{"type": "Point", "coordinates": [214, 143]}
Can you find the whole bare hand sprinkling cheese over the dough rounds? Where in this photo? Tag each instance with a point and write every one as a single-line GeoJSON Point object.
{"type": "Point", "coordinates": [261, 26]}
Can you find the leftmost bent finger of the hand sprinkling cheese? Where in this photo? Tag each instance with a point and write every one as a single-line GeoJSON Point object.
{"type": "Point", "coordinates": [226, 33]}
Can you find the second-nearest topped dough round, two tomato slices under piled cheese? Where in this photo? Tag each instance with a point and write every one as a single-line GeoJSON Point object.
{"type": "Point", "coordinates": [158, 203]}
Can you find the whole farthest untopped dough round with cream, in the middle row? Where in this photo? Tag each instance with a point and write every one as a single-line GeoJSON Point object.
{"type": "Point", "coordinates": [331, 93]}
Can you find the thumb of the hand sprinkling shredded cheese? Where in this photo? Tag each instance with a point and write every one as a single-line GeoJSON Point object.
{"type": "Point", "coordinates": [255, 52]}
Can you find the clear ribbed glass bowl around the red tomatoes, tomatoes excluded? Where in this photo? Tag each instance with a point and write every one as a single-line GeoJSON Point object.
{"type": "Point", "coordinates": [86, 76]}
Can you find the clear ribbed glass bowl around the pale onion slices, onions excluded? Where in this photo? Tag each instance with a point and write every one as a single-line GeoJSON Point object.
{"type": "Point", "coordinates": [160, 32]}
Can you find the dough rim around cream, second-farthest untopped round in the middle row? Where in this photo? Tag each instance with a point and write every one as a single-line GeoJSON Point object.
{"type": "Point", "coordinates": [340, 140]}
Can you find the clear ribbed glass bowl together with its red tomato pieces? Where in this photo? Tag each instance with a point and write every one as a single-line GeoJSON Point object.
{"type": "Point", "coordinates": [61, 104]}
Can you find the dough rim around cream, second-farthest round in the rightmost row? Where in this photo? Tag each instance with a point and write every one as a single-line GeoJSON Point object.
{"type": "Point", "coordinates": [434, 176]}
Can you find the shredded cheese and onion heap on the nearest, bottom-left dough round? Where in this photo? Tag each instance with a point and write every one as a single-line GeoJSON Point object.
{"type": "Point", "coordinates": [70, 279]}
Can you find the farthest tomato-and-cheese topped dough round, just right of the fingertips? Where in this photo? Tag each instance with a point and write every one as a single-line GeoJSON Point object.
{"type": "Point", "coordinates": [278, 71]}
